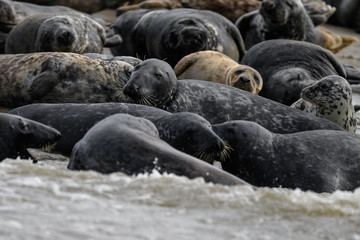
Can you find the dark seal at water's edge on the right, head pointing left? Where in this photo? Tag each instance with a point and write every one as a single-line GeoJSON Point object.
{"type": "Point", "coordinates": [319, 160]}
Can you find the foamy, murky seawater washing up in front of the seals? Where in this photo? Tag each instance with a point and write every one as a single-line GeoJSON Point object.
{"type": "Point", "coordinates": [47, 201]}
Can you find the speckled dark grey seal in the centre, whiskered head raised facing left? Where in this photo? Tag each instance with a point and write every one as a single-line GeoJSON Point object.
{"type": "Point", "coordinates": [153, 82]}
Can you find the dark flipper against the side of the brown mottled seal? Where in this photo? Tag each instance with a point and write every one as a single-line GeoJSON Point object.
{"type": "Point", "coordinates": [43, 84]}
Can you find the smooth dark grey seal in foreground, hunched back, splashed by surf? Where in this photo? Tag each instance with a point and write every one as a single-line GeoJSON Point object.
{"type": "Point", "coordinates": [131, 145]}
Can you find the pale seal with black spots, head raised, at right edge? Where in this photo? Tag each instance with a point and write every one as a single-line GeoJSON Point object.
{"type": "Point", "coordinates": [330, 98]}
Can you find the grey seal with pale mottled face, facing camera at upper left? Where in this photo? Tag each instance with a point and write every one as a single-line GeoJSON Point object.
{"type": "Point", "coordinates": [61, 32]}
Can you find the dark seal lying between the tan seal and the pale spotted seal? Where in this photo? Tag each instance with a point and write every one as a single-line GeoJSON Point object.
{"type": "Point", "coordinates": [286, 70]}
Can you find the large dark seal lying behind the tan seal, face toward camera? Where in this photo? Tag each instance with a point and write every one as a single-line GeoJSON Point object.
{"type": "Point", "coordinates": [173, 34]}
